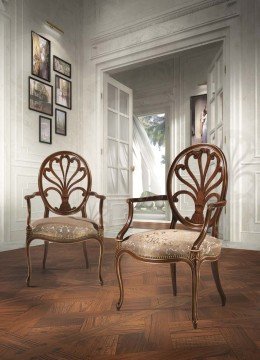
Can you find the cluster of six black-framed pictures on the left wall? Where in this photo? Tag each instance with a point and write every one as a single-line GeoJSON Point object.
{"type": "Point", "coordinates": [40, 90]}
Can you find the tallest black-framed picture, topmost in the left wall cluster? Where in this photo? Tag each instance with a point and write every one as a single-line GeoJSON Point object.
{"type": "Point", "coordinates": [41, 57]}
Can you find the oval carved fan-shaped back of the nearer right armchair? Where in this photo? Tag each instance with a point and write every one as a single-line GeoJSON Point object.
{"type": "Point", "coordinates": [197, 177]}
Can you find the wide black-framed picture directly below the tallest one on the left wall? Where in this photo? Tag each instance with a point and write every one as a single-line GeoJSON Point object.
{"type": "Point", "coordinates": [40, 96]}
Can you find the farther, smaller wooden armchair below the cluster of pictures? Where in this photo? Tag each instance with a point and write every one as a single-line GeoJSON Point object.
{"type": "Point", "coordinates": [64, 176]}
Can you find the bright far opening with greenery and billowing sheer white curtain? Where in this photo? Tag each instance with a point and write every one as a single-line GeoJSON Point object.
{"type": "Point", "coordinates": [149, 164]}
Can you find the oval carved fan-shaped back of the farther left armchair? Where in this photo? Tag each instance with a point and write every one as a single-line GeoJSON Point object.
{"type": "Point", "coordinates": [64, 176]}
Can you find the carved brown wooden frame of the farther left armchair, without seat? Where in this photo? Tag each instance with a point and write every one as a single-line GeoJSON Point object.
{"type": "Point", "coordinates": [64, 187]}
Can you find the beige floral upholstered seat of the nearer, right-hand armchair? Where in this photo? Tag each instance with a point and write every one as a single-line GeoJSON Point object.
{"type": "Point", "coordinates": [169, 244]}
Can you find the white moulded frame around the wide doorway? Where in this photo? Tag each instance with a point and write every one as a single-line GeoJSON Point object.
{"type": "Point", "coordinates": [105, 63]}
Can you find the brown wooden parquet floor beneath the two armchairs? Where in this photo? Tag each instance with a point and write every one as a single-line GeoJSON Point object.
{"type": "Point", "coordinates": [67, 315]}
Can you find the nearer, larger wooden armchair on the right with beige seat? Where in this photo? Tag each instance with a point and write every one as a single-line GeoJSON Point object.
{"type": "Point", "coordinates": [199, 173]}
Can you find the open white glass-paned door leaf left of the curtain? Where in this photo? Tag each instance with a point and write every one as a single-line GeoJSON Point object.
{"type": "Point", "coordinates": [118, 119]}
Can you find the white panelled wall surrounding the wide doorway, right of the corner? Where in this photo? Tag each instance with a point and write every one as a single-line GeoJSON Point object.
{"type": "Point", "coordinates": [118, 38]}
